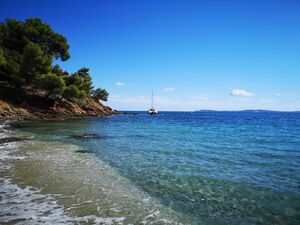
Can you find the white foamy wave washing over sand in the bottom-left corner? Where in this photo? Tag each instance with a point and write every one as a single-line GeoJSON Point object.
{"type": "Point", "coordinates": [30, 206]}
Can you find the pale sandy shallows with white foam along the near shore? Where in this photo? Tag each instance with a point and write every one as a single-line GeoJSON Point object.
{"type": "Point", "coordinates": [58, 184]}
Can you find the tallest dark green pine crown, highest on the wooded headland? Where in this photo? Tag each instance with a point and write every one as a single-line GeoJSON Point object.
{"type": "Point", "coordinates": [22, 40]}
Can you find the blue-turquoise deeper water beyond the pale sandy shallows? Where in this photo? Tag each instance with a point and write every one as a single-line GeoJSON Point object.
{"type": "Point", "coordinates": [211, 167]}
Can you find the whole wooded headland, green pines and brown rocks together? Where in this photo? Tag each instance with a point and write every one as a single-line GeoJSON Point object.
{"type": "Point", "coordinates": [32, 87]}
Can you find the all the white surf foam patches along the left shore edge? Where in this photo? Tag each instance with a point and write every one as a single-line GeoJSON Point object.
{"type": "Point", "coordinates": [27, 205]}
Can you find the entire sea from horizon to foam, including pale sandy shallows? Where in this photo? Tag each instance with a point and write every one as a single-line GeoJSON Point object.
{"type": "Point", "coordinates": [205, 167]}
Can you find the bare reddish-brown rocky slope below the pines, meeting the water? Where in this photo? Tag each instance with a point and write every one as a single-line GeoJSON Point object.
{"type": "Point", "coordinates": [28, 104]}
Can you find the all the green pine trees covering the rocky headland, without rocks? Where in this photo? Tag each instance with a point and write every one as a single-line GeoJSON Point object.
{"type": "Point", "coordinates": [27, 53]}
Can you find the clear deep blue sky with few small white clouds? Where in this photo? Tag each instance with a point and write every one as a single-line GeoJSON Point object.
{"type": "Point", "coordinates": [221, 55]}
